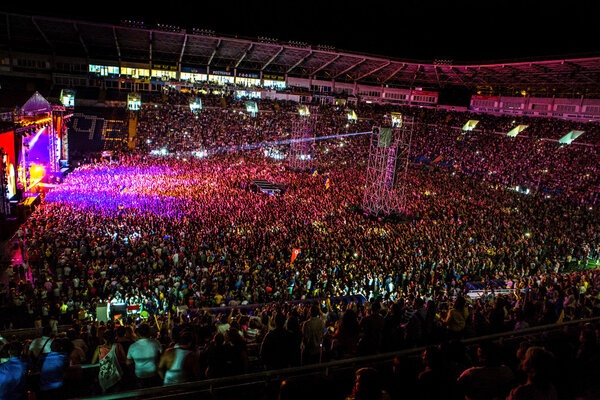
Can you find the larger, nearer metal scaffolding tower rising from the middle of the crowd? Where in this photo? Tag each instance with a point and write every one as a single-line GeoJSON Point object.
{"type": "Point", "coordinates": [387, 168]}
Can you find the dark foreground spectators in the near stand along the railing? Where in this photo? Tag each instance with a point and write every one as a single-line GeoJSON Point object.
{"type": "Point", "coordinates": [140, 355]}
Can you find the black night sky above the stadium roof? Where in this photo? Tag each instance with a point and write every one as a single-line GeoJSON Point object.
{"type": "Point", "coordinates": [463, 31]}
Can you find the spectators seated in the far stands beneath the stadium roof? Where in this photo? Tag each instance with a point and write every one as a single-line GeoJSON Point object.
{"type": "Point", "coordinates": [532, 160]}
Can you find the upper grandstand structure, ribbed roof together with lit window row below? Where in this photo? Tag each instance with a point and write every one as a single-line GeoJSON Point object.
{"type": "Point", "coordinates": [144, 58]}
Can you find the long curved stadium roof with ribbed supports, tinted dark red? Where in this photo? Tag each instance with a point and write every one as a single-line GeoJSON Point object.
{"type": "Point", "coordinates": [97, 42]}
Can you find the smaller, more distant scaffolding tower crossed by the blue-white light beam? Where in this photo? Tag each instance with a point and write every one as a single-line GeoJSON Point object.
{"type": "Point", "coordinates": [301, 156]}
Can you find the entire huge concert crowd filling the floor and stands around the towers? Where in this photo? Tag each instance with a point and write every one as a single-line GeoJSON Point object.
{"type": "Point", "coordinates": [206, 263]}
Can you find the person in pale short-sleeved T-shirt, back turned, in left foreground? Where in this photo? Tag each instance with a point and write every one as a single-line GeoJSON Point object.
{"type": "Point", "coordinates": [145, 353]}
